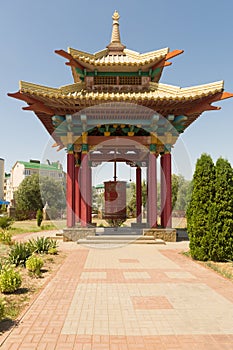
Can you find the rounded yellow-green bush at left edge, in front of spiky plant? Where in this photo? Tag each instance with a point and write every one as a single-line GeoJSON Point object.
{"type": "Point", "coordinates": [10, 280]}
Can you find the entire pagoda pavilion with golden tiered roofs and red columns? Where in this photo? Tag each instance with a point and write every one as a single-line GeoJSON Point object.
{"type": "Point", "coordinates": [117, 110]}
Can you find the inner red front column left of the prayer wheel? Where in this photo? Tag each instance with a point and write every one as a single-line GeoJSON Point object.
{"type": "Point", "coordinates": [84, 183]}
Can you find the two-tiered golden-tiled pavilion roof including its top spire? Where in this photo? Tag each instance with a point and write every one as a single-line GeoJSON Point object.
{"type": "Point", "coordinates": [117, 74]}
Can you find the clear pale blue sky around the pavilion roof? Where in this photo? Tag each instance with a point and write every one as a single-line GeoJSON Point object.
{"type": "Point", "coordinates": [30, 31]}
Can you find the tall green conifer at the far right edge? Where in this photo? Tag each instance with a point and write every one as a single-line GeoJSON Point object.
{"type": "Point", "coordinates": [221, 214]}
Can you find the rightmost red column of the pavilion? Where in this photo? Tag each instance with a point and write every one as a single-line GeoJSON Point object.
{"type": "Point", "coordinates": [166, 190]}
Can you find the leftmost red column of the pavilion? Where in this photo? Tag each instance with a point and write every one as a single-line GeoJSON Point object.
{"type": "Point", "coordinates": [70, 193]}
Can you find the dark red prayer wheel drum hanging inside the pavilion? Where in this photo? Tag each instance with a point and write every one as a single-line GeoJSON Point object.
{"type": "Point", "coordinates": [115, 200]}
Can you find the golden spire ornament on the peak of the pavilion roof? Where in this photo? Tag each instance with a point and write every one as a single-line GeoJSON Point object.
{"type": "Point", "coordinates": [116, 47]}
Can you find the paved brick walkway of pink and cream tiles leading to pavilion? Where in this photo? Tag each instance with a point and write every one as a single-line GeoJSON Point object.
{"type": "Point", "coordinates": [128, 298]}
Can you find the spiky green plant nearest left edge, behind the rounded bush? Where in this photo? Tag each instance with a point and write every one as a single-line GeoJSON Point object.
{"type": "Point", "coordinates": [19, 253]}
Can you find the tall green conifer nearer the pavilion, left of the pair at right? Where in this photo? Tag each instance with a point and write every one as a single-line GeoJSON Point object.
{"type": "Point", "coordinates": [202, 197]}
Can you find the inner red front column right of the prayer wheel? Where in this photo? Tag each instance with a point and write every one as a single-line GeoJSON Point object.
{"type": "Point", "coordinates": [152, 187]}
